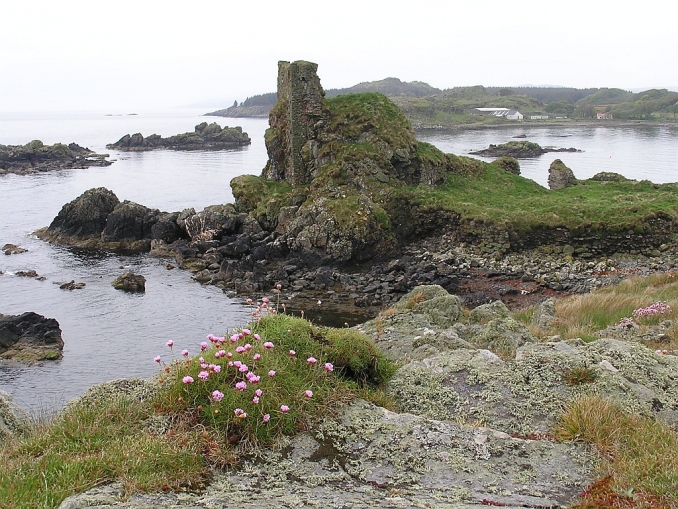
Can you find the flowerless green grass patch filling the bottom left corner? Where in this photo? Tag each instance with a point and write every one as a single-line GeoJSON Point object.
{"type": "Point", "coordinates": [89, 445]}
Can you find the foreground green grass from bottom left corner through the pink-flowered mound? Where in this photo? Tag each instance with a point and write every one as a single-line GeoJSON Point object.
{"type": "Point", "coordinates": [171, 441]}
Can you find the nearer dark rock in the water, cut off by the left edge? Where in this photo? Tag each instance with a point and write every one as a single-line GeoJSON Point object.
{"type": "Point", "coordinates": [30, 337]}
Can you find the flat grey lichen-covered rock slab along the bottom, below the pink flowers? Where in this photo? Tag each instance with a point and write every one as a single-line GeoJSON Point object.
{"type": "Point", "coordinates": [372, 458]}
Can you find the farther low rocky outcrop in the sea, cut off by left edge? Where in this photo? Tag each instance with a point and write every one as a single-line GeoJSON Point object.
{"type": "Point", "coordinates": [37, 157]}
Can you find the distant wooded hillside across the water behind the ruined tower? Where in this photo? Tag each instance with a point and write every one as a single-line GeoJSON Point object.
{"type": "Point", "coordinates": [427, 106]}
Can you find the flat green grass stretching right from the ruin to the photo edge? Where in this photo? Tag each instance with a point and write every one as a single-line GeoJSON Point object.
{"type": "Point", "coordinates": [498, 197]}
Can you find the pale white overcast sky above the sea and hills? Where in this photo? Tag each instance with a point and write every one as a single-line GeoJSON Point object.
{"type": "Point", "coordinates": [129, 55]}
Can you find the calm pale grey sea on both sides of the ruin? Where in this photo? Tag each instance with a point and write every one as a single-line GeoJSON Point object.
{"type": "Point", "coordinates": [110, 334]}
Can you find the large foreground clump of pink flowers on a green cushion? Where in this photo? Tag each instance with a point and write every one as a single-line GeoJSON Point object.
{"type": "Point", "coordinates": [227, 386]}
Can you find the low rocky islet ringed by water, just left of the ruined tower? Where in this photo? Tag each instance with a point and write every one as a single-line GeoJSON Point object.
{"type": "Point", "coordinates": [205, 137]}
